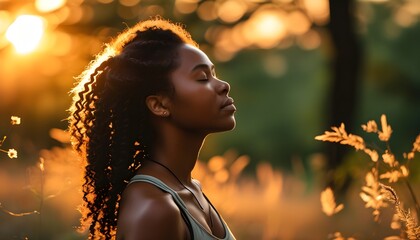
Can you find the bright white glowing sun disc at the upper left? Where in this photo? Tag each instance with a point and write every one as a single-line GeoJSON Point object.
{"type": "Point", "coordinates": [25, 33]}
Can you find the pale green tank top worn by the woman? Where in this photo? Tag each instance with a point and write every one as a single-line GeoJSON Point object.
{"type": "Point", "coordinates": [198, 232]}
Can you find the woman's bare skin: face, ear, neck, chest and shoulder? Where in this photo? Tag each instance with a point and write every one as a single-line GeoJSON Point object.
{"type": "Point", "coordinates": [199, 106]}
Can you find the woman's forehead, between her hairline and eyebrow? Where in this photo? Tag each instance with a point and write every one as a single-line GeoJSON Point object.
{"type": "Point", "coordinates": [190, 57]}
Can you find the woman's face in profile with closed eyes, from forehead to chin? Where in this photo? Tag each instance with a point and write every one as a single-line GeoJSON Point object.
{"type": "Point", "coordinates": [200, 102]}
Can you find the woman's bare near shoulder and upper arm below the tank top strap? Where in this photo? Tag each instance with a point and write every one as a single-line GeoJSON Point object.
{"type": "Point", "coordinates": [146, 212]}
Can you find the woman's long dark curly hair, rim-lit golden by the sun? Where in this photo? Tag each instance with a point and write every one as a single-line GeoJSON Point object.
{"type": "Point", "coordinates": [109, 122]}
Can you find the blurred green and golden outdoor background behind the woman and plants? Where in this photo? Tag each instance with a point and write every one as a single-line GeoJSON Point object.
{"type": "Point", "coordinates": [296, 67]}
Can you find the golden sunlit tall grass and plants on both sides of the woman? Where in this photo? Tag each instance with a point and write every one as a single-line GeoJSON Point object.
{"type": "Point", "coordinates": [41, 201]}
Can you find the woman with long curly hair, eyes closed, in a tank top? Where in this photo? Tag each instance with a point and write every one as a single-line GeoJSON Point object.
{"type": "Point", "coordinates": [139, 117]}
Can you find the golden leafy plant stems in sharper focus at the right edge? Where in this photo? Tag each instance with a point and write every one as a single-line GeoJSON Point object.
{"type": "Point", "coordinates": [375, 193]}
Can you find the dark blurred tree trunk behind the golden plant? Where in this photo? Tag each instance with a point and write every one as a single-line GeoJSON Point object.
{"type": "Point", "coordinates": [345, 69]}
